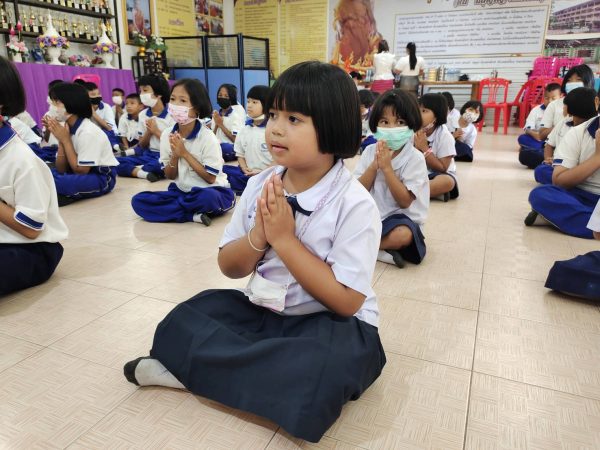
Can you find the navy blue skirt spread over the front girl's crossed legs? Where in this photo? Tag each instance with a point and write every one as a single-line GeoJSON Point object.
{"type": "Point", "coordinates": [297, 371]}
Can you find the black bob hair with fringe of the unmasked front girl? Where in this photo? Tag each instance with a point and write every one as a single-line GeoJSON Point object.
{"type": "Point", "coordinates": [323, 92]}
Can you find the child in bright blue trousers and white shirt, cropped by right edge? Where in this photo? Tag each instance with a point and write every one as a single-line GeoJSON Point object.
{"type": "Point", "coordinates": [569, 202]}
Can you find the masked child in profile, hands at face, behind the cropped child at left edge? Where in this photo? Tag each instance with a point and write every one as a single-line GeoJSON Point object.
{"type": "Point", "coordinates": [85, 165]}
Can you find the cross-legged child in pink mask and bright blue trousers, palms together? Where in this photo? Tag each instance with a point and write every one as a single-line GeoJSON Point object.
{"type": "Point", "coordinates": [191, 156]}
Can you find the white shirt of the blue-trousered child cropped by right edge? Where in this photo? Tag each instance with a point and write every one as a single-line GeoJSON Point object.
{"type": "Point", "coordinates": [578, 146]}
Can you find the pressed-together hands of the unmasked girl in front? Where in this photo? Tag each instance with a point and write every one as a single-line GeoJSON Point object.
{"type": "Point", "coordinates": [277, 215]}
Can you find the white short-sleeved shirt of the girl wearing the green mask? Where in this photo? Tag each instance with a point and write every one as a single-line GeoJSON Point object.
{"type": "Point", "coordinates": [410, 168]}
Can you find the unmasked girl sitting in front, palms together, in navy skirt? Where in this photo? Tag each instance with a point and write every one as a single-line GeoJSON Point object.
{"type": "Point", "coordinates": [302, 339]}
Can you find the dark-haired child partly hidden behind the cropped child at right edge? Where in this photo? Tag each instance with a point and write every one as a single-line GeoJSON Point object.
{"type": "Point", "coordinates": [580, 106]}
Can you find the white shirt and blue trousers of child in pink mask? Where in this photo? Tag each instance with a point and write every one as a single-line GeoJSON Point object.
{"type": "Point", "coordinates": [189, 194]}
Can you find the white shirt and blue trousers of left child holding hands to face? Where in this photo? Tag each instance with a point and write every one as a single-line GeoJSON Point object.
{"type": "Point", "coordinates": [93, 150]}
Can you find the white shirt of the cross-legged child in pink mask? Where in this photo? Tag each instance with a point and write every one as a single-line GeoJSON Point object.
{"type": "Point", "coordinates": [205, 148]}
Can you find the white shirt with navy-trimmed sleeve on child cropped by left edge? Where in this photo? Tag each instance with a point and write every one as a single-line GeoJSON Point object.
{"type": "Point", "coordinates": [27, 185]}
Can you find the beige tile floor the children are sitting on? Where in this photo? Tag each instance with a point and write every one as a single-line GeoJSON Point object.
{"type": "Point", "coordinates": [480, 354]}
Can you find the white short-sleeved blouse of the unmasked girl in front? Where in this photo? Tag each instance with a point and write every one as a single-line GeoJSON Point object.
{"type": "Point", "coordinates": [344, 233]}
